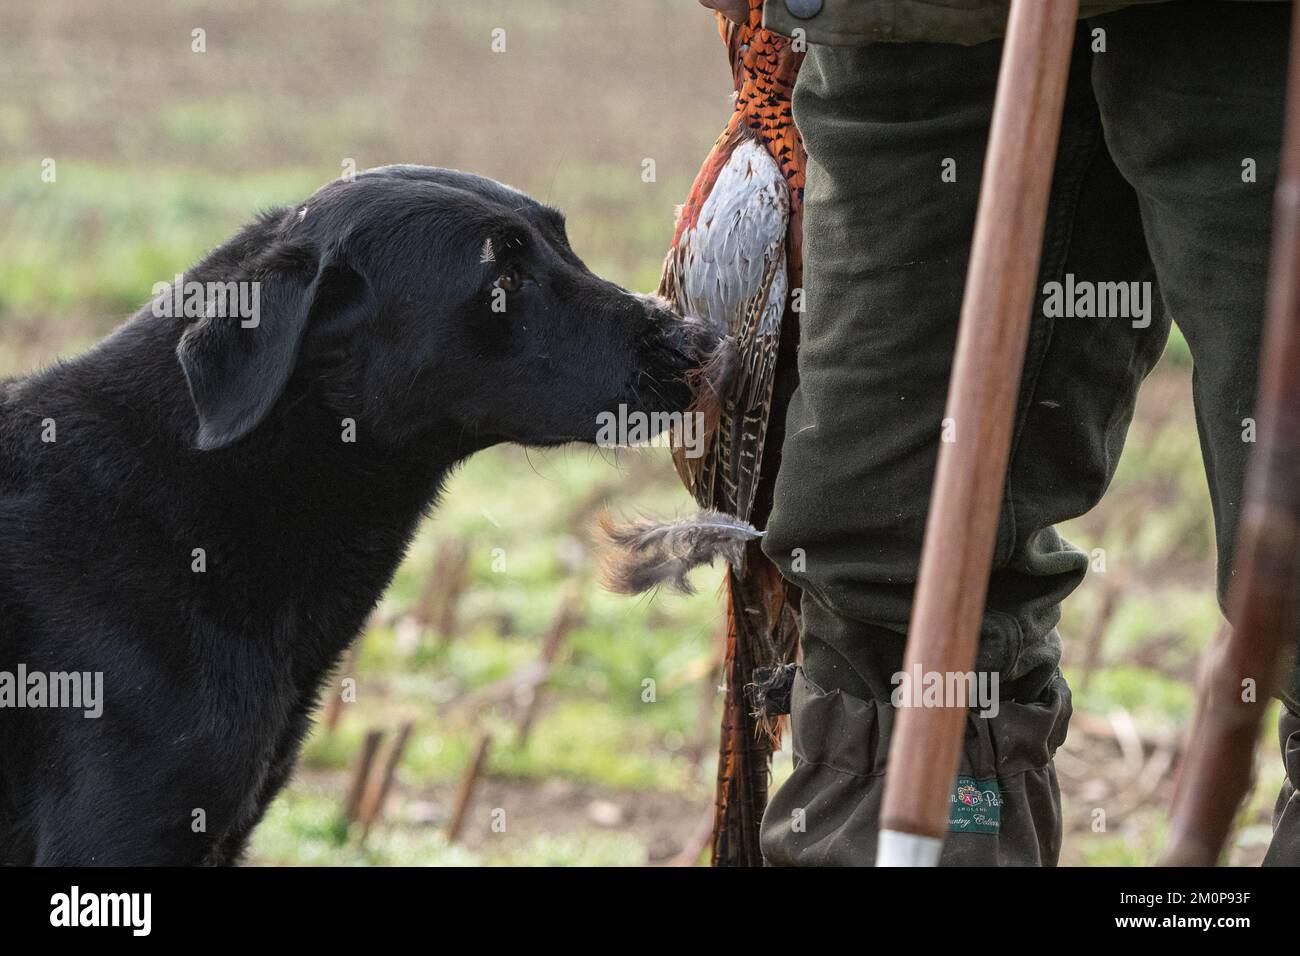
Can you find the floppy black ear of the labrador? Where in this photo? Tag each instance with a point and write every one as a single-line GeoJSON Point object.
{"type": "Point", "coordinates": [237, 369]}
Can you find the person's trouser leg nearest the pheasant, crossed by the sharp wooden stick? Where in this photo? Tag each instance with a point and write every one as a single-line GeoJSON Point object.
{"type": "Point", "coordinates": [896, 137]}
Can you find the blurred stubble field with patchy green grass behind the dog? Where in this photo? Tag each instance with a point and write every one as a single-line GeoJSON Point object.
{"type": "Point", "coordinates": [162, 153]}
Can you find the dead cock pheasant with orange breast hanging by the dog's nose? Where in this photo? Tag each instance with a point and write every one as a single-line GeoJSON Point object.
{"type": "Point", "coordinates": [734, 263]}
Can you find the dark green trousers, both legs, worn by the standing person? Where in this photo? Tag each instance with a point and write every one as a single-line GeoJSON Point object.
{"type": "Point", "coordinates": [1165, 175]}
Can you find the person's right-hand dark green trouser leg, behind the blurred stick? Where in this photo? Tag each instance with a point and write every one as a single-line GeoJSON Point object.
{"type": "Point", "coordinates": [1191, 102]}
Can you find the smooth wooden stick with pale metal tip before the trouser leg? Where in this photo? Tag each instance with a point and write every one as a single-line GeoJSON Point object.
{"type": "Point", "coordinates": [963, 525]}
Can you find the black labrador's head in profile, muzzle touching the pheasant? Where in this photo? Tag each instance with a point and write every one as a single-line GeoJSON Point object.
{"type": "Point", "coordinates": [419, 300]}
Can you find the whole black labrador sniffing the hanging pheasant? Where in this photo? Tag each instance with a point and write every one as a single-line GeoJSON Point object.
{"type": "Point", "coordinates": [198, 516]}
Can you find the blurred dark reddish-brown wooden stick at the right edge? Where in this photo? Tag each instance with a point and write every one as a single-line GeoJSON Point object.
{"type": "Point", "coordinates": [1263, 603]}
